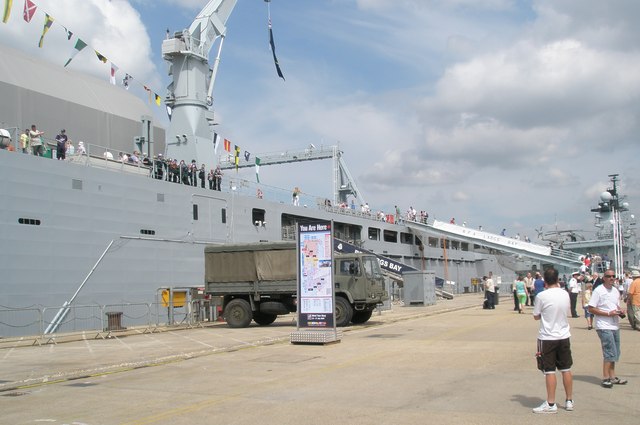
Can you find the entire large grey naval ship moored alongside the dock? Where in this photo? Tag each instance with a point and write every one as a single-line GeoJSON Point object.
{"type": "Point", "coordinates": [94, 230]}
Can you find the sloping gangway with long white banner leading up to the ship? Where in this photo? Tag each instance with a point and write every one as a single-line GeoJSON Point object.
{"type": "Point", "coordinates": [543, 253]}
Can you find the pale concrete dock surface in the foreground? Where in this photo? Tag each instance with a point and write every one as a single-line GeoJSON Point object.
{"type": "Point", "coordinates": [450, 363]}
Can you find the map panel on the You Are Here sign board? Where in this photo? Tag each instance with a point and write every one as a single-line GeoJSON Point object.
{"type": "Point", "coordinates": [316, 285]}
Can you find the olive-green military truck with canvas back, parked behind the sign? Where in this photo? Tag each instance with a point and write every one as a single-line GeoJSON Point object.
{"type": "Point", "coordinates": [258, 281]}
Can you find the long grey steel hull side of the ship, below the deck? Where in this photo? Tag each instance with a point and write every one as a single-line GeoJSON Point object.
{"type": "Point", "coordinates": [59, 218]}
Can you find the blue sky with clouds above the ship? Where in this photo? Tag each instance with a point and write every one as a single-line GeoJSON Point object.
{"type": "Point", "coordinates": [501, 113]}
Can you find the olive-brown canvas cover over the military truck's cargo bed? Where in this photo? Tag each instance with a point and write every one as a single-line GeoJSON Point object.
{"type": "Point", "coordinates": [268, 261]}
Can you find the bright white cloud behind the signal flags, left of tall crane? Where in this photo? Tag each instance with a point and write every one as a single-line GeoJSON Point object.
{"type": "Point", "coordinates": [113, 28]}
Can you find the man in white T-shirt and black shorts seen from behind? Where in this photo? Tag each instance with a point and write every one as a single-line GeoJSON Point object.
{"type": "Point", "coordinates": [554, 343]}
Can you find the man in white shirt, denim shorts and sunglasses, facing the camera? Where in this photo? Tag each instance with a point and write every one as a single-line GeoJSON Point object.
{"type": "Point", "coordinates": [605, 305]}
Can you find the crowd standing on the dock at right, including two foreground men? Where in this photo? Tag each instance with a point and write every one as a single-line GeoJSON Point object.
{"type": "Point", "coordinates": [555, 301]}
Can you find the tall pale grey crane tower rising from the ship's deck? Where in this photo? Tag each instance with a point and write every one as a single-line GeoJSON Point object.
{"type": "Point", "coordinates": [189, 96]}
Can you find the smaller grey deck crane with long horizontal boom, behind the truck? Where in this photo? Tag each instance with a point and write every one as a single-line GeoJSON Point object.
{"type": "Point", "coordinates": [343, 183]}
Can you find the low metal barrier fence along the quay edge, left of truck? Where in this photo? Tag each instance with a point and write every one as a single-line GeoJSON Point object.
{"type": "Point", "coordinates": [27, 326]}
